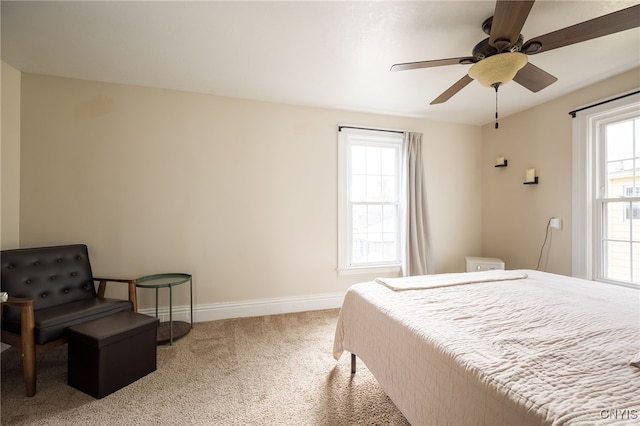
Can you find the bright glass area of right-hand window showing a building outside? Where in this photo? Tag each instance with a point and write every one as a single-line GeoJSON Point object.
{"type": "Point", "coordinates": [620, 201]}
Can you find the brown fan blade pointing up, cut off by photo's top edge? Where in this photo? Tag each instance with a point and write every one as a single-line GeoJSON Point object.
{"type": "Point", "coordinates": [508, 19]}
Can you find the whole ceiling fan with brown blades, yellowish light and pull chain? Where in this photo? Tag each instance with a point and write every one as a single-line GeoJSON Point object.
{"type": "Point", "coordinates": [502, 56]}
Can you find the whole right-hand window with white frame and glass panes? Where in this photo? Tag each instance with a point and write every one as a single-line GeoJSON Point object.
{"type": "Point", "coordinates": [607, 193]}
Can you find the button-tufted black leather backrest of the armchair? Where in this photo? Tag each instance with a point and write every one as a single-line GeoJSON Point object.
{"type": "Point", "coordinates": [49, 275]}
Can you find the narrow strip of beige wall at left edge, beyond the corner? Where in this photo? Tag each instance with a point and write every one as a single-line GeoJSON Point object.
{"type": "Point", "coordinates": [10, 158]}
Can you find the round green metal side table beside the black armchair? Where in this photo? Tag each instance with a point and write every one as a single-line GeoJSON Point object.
{"type": "Point", "coordinates": [168, 331]}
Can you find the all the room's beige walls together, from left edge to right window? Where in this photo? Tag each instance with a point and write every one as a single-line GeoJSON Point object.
{"type": "Point", "coordinates": [243, 194]}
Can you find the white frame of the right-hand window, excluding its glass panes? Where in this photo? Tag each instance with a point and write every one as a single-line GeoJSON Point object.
{"type": "Point", "coordinates": [588, 175]}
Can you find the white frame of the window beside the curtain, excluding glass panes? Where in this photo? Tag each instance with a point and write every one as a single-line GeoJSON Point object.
{"type": "Point", "coordinates": [347, 137]}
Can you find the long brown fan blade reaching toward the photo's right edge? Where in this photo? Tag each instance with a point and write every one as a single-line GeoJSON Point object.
{"type": "Point", "coordinates": [621, 20]}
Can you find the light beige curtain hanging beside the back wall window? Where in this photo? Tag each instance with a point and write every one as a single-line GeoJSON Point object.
{"type": "Point", "coordinates": [417, 251]}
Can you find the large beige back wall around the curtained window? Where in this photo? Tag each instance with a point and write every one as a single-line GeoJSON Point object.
{"type": "Point", "coordinates": [241, 194]}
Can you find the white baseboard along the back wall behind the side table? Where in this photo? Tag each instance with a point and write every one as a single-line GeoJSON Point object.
{"type": "Point", "coordinates": [250, 308]}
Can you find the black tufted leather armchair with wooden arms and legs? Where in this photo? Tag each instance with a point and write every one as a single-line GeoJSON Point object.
{"type": "Point", "coordinates": [51, 289]}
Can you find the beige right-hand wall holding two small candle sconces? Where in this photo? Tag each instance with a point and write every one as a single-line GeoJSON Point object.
{"type": "Point", "coordinates": [514, 216]}
